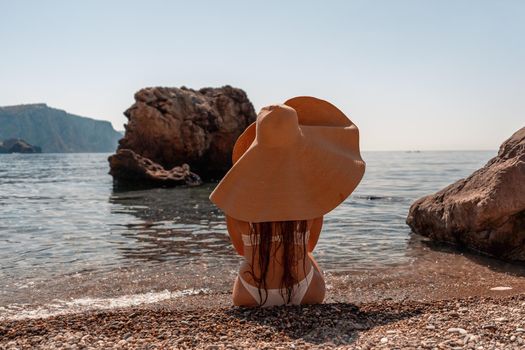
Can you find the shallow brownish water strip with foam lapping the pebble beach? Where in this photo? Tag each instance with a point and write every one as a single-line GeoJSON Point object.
{"type": "Point", "coordinates": [436, 272]}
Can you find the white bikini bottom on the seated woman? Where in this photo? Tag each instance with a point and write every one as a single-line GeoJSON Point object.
{"type": "Point", "coordinates": [274, 295]}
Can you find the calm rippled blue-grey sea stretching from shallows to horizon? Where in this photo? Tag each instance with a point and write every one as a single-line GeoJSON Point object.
{"type": "Point", "coordinates": [59, 214]}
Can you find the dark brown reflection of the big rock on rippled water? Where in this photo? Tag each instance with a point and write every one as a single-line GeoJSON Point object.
{"type": "Point", "coordinates": [178, 224]}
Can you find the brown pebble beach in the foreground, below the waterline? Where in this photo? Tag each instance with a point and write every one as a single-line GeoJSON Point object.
{"type": "Point", "coordinates": [466, 323]}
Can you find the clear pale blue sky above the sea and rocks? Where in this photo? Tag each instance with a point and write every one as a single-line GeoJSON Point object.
{"type": "Point", "coordinates": [411, 74]}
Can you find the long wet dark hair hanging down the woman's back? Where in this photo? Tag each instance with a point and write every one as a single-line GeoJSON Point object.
{"type": "Point", "coordinates": [288, 234]}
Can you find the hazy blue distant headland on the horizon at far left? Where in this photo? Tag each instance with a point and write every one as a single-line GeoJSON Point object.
{"type": "Point", "coordinates": [54, 130]}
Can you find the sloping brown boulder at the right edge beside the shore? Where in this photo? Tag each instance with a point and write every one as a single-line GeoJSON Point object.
{"type": "Point", "coordinates": [484, 212]}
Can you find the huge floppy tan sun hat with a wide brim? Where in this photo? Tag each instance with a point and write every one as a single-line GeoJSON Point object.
{"type": "Point", "coordinates": [297, 161]}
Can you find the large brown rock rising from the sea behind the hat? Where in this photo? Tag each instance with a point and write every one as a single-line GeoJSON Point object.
{"type": "Point", "coordinates": [171, 126]}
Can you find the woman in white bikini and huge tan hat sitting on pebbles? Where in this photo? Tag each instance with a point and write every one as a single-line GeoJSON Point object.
{"type": "Point", "coordinates": [295, 163]}
